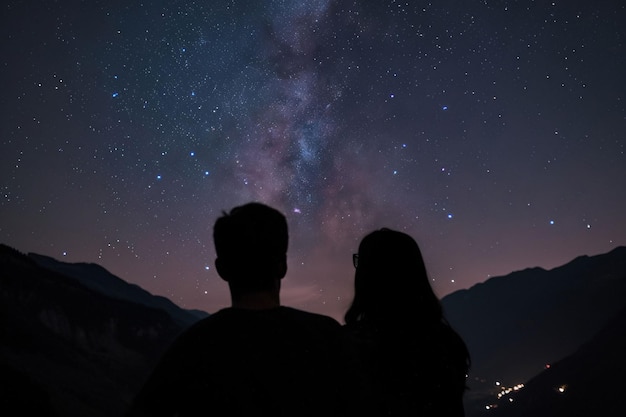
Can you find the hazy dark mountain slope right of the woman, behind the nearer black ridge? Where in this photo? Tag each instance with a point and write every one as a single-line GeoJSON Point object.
{"type": "Point", "coordinates": [517, 324]}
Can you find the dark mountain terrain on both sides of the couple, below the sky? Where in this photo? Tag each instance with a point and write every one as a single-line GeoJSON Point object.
{"type": "Point", "coordinates": [76, 340]}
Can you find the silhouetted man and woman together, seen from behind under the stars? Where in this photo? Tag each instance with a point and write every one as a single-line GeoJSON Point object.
{"type": "Point", "coordinates": [395, 356]}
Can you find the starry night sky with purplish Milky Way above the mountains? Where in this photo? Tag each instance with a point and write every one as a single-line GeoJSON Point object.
{"type": "Point", "coordinates": [491, 131]}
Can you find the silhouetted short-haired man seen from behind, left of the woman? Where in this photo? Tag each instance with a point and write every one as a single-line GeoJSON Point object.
{"type": "Point", "coordinates": [255, 358]}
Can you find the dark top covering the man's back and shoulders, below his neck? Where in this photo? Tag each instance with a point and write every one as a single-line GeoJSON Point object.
{"type": "Point", "coordinates": [237, 362]}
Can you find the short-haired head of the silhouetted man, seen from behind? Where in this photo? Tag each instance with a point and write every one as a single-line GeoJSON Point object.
{"type": "Point", "coordinates": [251, 246]}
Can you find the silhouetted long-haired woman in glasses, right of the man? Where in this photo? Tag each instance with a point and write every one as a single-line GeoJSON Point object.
{"type": "Point", "coordinates": [415, 363]}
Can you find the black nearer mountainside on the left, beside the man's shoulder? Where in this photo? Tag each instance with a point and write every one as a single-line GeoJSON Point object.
{"type": "Point", "coordinates": [69, 349]}
